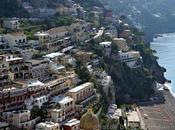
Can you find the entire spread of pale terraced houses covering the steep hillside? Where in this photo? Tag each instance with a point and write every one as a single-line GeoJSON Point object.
{"type": "Point", "coordinates": [29, 79]}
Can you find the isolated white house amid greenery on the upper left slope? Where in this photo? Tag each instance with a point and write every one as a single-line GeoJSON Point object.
{"type": "Point", "coordinates": [12, 24]}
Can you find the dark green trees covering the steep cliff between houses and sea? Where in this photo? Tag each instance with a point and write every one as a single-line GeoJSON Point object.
{"type": "Point", "coordinates": [131, 84]}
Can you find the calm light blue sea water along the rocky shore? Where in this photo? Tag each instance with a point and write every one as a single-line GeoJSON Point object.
{"type": "Point", "coordinates": [165, 47]}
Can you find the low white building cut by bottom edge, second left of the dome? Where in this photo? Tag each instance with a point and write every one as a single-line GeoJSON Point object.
{"type": "Point", "coordinates": [47, 126]}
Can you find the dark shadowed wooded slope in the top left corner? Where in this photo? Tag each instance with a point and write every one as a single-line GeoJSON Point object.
{"type": "Point", "coordinates": [11, 8]}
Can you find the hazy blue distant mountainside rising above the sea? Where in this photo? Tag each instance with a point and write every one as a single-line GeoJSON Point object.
{"type": "Point", "coordinates": [152, 16]}
